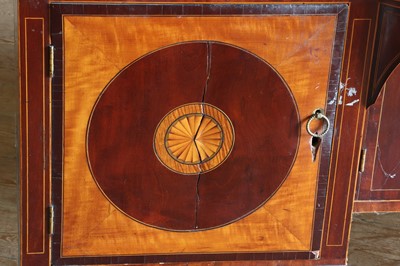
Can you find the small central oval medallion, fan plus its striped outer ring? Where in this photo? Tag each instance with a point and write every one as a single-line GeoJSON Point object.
{"type": "Point", "coordinates": [194, 138]}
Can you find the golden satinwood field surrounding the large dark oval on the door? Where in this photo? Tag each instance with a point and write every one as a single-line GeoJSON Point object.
{"type": "Point", "coordinates": [94, 57]}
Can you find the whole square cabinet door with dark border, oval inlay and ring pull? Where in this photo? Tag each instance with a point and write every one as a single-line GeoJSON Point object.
{"type": "Point", "coordinates": [180, 130]}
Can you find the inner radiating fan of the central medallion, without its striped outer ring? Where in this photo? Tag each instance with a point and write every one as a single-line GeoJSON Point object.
{"type": "Point", "coordinates": [194, 138]}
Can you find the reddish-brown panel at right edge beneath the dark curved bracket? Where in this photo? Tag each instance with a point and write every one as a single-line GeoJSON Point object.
{"type": "Point", "coordinates": [379, 185]}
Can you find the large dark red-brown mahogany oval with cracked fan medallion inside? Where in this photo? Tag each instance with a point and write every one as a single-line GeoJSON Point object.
{"type": "Point", "coordinates": [233, 169]}
